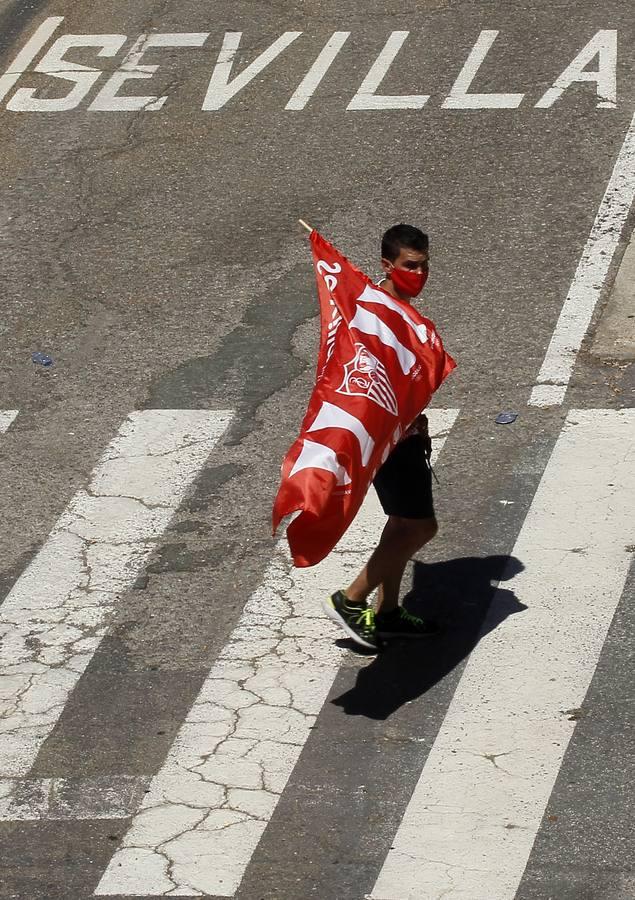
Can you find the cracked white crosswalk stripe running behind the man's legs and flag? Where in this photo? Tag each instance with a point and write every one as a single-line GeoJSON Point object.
{"type": "Point", "coordinates": [210, 803]}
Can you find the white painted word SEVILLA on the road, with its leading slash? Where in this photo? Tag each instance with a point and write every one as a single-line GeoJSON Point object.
{"type": "Point", "coordinates": [222, 88]}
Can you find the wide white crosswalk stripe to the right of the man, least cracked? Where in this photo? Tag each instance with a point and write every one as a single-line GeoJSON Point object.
{"type": "Point", "coordinates": [473, 817]}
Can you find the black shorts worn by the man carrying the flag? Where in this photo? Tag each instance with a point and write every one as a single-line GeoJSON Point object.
{"type": "Point", "coordinates": [404, 482]}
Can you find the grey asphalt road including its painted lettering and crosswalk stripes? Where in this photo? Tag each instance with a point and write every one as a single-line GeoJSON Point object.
{"type": "Point", "coordinates": [178, 718]}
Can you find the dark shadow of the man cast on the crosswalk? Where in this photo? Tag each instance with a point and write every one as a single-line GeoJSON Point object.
{"type": "Point", "coordinates": [458, 594]}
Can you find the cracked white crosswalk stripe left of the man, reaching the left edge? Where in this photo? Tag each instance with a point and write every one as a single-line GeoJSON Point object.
{"type": "Point", "coordinates": [53, 619]}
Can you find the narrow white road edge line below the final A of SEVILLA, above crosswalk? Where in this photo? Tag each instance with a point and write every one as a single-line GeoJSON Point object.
{"type": "Point", "coordinates": [588, 281]}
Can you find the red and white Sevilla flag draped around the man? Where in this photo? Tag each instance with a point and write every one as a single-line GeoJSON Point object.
{"type": "Point", "coordinates": [379, 363]}
